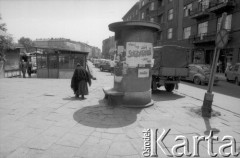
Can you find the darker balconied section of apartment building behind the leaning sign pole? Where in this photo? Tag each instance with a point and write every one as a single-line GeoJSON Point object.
{"type": "Point", "coordinates": [207, 16]}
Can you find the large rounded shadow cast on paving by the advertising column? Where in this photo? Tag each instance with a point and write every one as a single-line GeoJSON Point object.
{"type": "Point", "coordinates": [104, 116]}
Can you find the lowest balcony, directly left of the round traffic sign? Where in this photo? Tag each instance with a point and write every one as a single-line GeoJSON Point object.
{"type": "Point", "coordinates": [203, 38]}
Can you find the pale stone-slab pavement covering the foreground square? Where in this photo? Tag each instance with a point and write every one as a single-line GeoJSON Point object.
{"type": "Point", "coordinates": [40, 118]}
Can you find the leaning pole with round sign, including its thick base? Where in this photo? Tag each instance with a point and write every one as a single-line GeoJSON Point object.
{"type": "Point", "coordinates": [221, 41]}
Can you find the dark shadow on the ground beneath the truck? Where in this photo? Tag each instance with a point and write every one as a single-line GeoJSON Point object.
{"type": "Point", "coordinates": [162, 95]}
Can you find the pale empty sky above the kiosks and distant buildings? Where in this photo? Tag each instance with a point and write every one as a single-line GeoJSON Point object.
{"type": "Point", "coordinates": [79, 20]}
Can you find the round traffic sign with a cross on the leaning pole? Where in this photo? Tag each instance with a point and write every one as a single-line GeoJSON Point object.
{"type": "Point", "coordinates": [222, 39]}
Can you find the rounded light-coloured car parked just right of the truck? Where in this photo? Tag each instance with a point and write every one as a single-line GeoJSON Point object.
{"type": "Point", "coordinates": [199, 74]}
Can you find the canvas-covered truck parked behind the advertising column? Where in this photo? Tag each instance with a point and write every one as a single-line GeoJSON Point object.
{"type": "Point", "coordinates": [170, 65]}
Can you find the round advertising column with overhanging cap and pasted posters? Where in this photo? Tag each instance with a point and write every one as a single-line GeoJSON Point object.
{"type": "Point", "coordinates": [132, 77]}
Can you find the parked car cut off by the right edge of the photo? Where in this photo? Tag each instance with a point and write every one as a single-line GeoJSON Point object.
{"type": "Point", "coordinates": [233, 73]}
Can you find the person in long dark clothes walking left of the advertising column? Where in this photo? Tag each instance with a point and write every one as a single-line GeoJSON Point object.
{"type": "Point", "coordinates": [79, 81]}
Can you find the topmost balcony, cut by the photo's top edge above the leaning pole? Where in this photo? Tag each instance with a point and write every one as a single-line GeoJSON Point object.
{"type": "Point", "coordinates": [220, 6]}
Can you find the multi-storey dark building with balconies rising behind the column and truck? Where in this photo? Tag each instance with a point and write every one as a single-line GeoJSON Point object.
{"type": "Point", "coordinates": [194, 24]}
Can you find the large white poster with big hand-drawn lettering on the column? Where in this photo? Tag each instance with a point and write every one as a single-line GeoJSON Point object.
{"type": "Point", "coordinates": [138, 53]}
